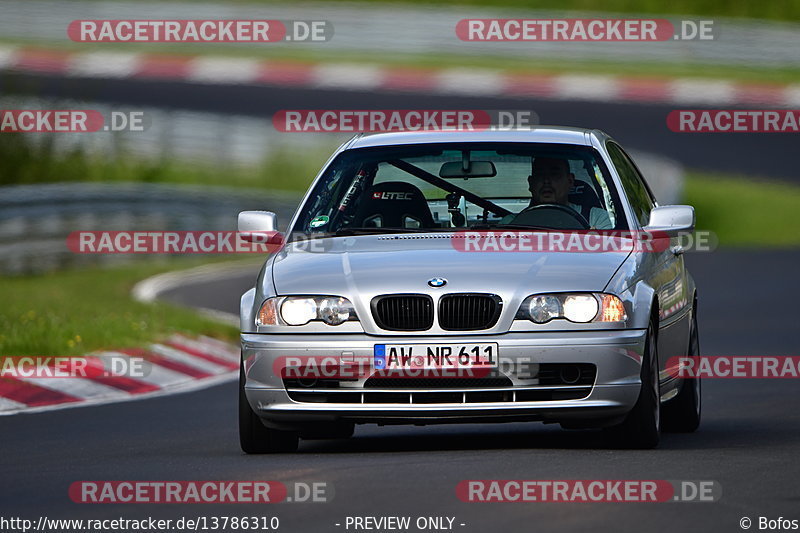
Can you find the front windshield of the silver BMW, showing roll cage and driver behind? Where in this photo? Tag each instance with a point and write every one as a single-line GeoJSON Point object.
{"type": "Point", "coordinates": [444, 187]}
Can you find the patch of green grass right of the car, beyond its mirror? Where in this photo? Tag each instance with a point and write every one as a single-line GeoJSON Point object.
{"type": "Point", "coordinates": [745, 211]}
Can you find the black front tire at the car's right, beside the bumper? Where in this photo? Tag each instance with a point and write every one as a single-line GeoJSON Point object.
{"type": "Point", "coordinates": [641, 428]}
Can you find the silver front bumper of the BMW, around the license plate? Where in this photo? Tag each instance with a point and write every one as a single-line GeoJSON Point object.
{"type": "Point", "coordinates": [616, 354]}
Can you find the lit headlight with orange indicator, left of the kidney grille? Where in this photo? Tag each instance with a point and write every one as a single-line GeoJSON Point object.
{"type": "Point", "coordinates": [300, 310]}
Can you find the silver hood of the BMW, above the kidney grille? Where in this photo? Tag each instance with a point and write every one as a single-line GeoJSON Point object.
{"type": "Point", "coordinates": [362, 267]}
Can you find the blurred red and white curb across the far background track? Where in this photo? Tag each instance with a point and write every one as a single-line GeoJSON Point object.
{"type": "Point", "coordinates": [461, 81]}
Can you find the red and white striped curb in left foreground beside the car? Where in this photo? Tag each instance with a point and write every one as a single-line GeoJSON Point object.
{"type": "Point", "coordinates": [178, 364]}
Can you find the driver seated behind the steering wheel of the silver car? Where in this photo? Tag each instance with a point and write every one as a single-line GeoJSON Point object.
{"type": "Point", "coordinates": [550, 182]}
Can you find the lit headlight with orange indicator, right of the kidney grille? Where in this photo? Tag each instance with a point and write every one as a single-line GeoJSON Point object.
{"type": "Point", "coordinates": [575, 307]}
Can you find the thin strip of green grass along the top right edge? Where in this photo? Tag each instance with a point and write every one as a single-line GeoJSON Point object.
{"type": "Point", "coordinates": [774, 9]}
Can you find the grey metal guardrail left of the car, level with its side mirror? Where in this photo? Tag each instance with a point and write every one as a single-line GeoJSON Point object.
{"type": "Point", "coordinates": [35, 220]}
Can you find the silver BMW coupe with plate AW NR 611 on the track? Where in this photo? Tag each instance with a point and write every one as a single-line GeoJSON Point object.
{"type": "Point", "coordinates": [496, 276]}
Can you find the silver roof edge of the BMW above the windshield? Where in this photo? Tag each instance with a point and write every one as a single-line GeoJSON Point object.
{"type": "Point", "coordinates": [538, 134]}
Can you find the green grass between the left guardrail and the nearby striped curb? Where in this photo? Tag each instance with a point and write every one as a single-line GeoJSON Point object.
{"type": "Point", "coordinates": [78, 311]}
